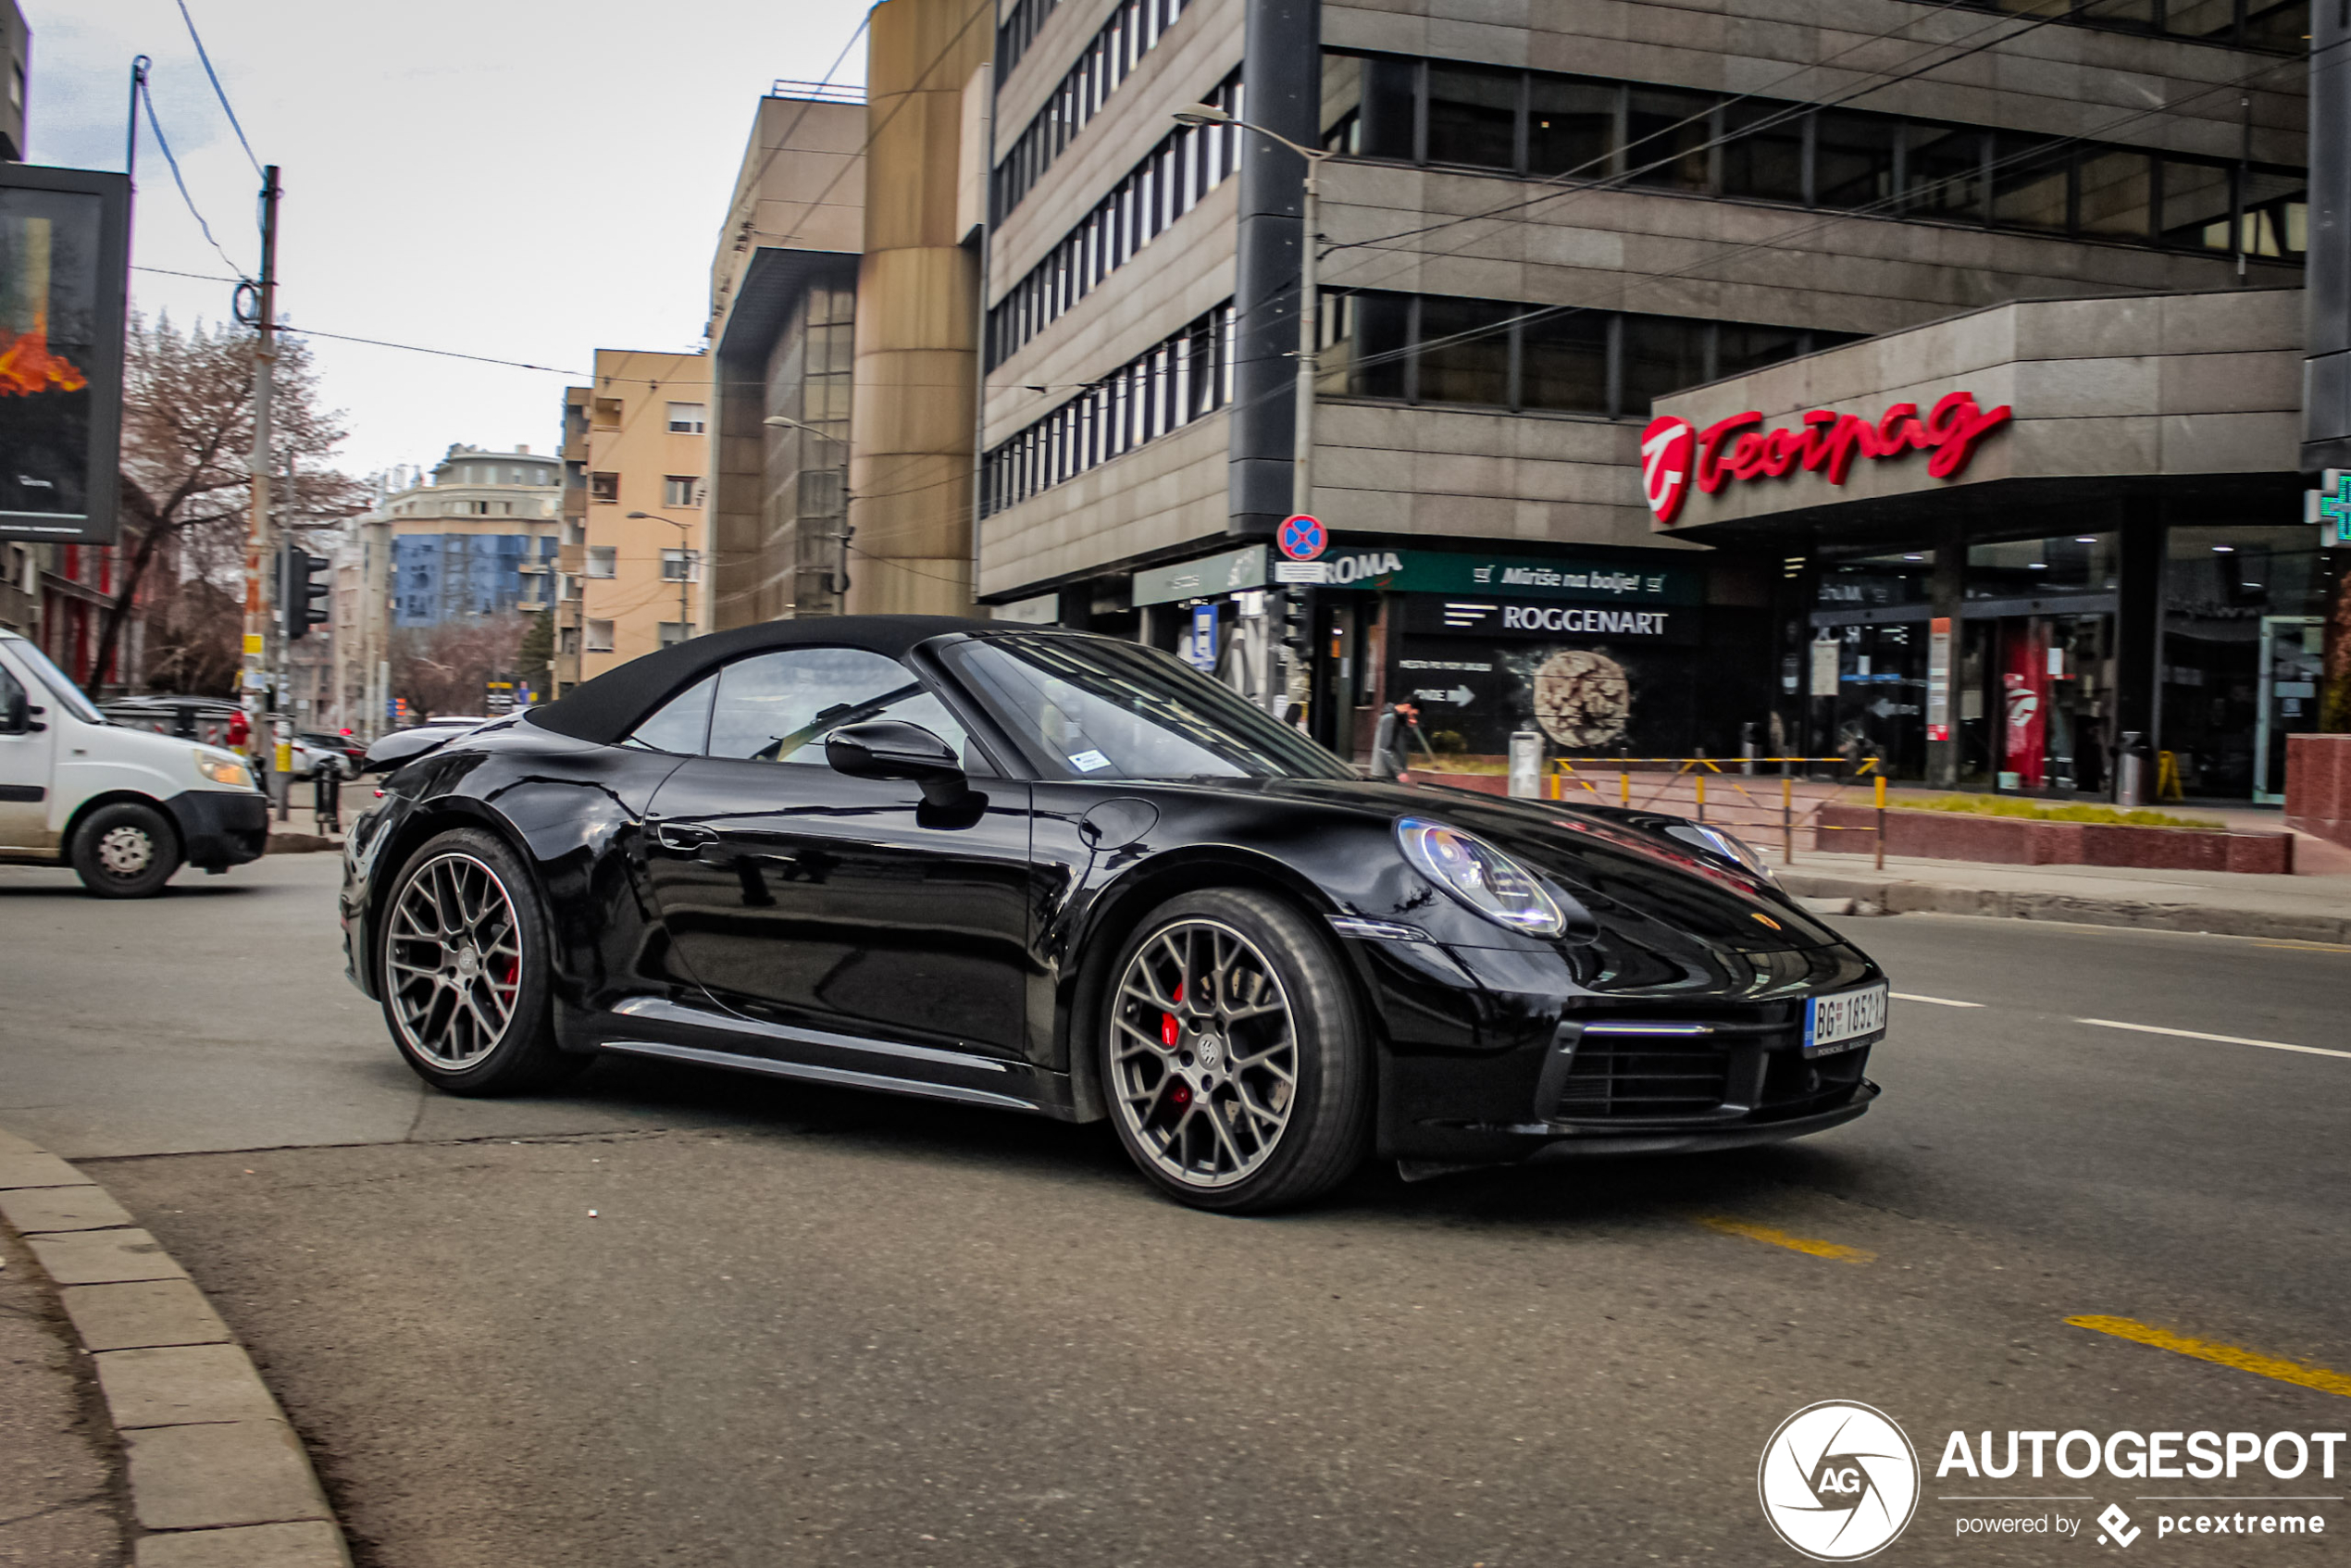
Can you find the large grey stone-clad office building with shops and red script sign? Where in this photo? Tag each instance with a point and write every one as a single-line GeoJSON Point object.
{"type": "Point", "coordinates": [1543, 227]}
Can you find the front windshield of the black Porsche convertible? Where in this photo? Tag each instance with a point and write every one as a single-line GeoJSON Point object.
{"type": "Point", "coordinates": [1104, 709]}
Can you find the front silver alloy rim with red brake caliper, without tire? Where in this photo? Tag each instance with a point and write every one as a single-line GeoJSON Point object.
{"type": "Point", "coordinates": [1205, 1054]}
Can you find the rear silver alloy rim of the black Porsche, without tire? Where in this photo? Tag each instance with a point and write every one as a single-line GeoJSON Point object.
{"type": "Point", "coordinates": [453, 960]}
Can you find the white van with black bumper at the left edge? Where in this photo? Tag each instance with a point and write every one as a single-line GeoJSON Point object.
{"type": "Point", "coordinates": [123, 808]}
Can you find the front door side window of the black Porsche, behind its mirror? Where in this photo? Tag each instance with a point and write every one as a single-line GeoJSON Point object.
{"type": "Point", "coordinates": [782, 706]}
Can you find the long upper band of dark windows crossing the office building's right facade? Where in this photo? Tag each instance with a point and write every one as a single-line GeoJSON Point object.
{"type": "Point", "coordinates": [1550, 126]}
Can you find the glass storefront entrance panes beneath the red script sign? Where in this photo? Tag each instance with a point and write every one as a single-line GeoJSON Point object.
{"type": "Point", "coordinates": [2035, 699]}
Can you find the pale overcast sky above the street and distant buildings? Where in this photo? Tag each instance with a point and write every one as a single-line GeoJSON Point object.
{"type": "Point", "coordinates": [500, 177]}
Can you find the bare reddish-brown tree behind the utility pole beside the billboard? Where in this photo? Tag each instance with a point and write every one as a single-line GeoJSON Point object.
{"type": "Point", "coordinates": [187, 438]}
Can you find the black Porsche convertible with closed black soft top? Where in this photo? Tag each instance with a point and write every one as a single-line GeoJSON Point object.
{"type": "Point", "coordinates": [1061, 873]}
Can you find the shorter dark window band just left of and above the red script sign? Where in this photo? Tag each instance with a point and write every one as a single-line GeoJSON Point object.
{"type": "Point", "coordinates": [1511, 356]}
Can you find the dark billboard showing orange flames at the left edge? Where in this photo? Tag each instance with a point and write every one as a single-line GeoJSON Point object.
{"type": "Point", "coordinates": [65, 248]}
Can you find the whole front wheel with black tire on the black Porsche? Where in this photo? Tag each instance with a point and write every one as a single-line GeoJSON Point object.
{"type": "Point", "coordinates": [1181, 1125]}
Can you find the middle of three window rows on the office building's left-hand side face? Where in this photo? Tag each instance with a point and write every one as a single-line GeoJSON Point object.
{"type": "Point", "coordinates": [1172, 180]}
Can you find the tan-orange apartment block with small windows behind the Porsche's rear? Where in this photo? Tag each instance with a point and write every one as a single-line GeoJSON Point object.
{"type": "Point", "coordinates": [643, 535]}
